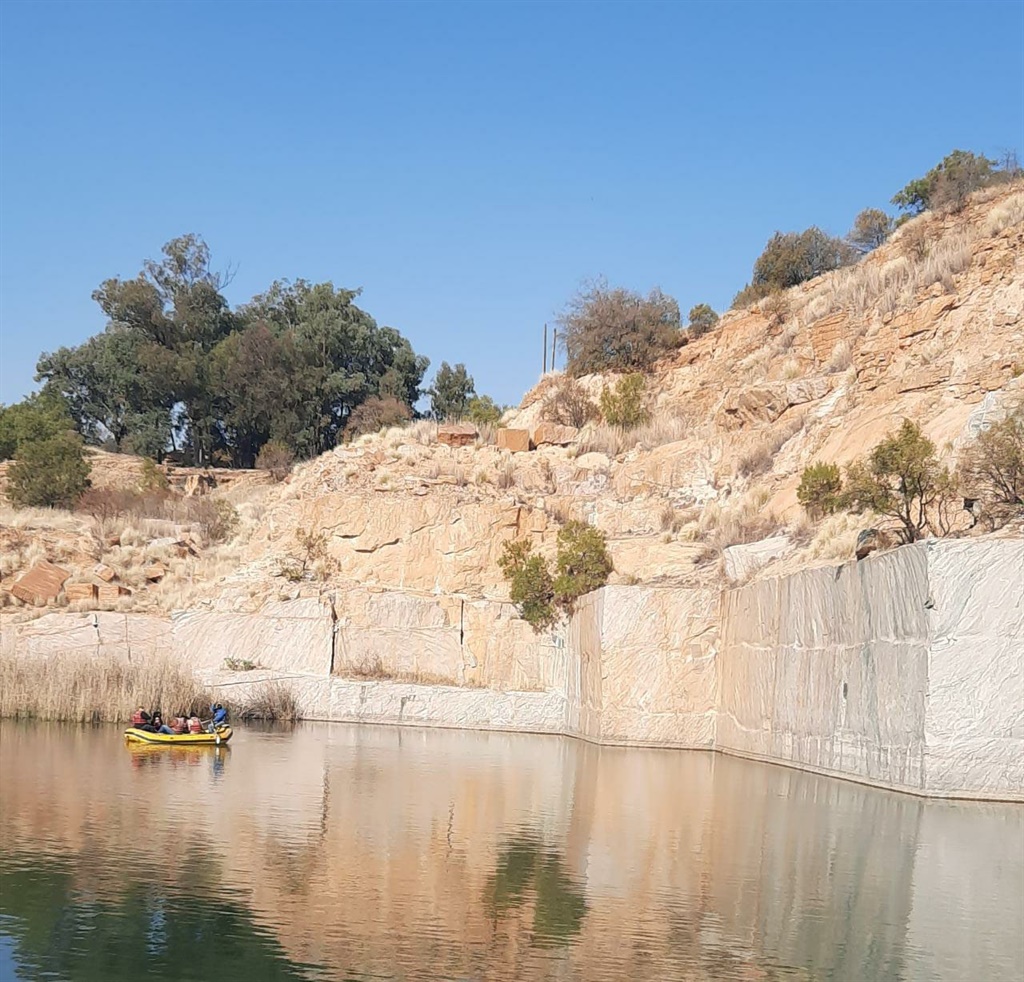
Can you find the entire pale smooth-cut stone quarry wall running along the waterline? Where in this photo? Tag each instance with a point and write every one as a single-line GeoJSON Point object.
{"type": "Point", "coordinates": [905, 670]}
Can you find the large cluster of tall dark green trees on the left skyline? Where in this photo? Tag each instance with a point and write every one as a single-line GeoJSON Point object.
{"type": "Point", "coordinates": [178, 369]}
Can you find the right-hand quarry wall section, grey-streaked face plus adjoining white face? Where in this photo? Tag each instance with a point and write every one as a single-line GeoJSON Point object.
{"type": "Point", "coordinates": [906, 671]}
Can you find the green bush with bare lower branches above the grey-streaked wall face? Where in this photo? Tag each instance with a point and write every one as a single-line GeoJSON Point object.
{"type": "Point", "coordinates": [903, 479]}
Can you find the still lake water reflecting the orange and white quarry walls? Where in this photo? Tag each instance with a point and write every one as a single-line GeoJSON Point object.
{"type": "Point", "coordinates": [354, 852]}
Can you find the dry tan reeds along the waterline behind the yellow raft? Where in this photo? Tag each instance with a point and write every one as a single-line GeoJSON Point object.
{"type": "Point", "coordinates": [74, 690]}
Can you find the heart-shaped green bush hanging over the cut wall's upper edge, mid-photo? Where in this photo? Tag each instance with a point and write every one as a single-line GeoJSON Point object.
{"type": "Point", "coordinates": [582, 565]}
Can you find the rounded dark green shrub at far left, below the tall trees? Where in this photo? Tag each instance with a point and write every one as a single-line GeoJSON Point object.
{"type": "Point", "coordinates": [50, 474]}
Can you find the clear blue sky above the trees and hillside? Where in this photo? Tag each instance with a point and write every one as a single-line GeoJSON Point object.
{"type": "Point", "coordinates": [468, 164]}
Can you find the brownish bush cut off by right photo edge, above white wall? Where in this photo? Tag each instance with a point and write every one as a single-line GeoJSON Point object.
{"type": "Point", "coordinates": [992, 471]}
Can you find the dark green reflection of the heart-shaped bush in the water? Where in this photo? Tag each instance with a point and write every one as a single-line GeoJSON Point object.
{"type": "Point", "coordinates": [529, 871]}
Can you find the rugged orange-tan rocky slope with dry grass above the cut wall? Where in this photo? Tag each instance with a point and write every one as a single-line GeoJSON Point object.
{"type": "Point", "coordinates": [929, 327]}
